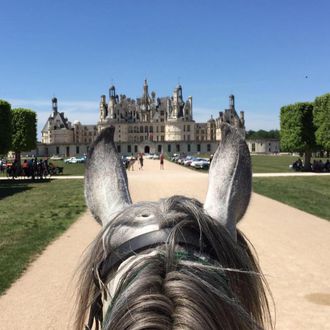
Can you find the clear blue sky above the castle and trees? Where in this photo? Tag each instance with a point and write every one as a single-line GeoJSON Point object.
{"type": "Point", "coordinates": [267, 53]}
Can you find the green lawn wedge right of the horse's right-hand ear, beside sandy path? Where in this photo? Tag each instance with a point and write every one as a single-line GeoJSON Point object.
{"type": "Point", "coordinates": [310, 194]}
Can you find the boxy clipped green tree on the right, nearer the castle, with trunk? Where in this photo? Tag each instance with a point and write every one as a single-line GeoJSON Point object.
{"type": "Point", "coordinates": [297, 130]}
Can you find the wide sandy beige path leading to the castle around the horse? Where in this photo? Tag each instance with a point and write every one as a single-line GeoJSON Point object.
{"type": "Point", "coordinates": [293, 248]}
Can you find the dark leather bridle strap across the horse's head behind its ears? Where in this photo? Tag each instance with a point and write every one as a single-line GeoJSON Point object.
{"type": "Point", "coordinates": [184, 237]}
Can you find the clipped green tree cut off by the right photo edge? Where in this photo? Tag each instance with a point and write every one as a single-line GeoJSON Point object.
{"type": "Point", "coordinates": [322, 121]}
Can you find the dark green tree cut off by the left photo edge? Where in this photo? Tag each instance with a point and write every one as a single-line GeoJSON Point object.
{"type": "Point", "coordinates": [5, 127]}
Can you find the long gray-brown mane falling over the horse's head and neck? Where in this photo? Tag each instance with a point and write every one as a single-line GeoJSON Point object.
{"type": "Point", "coordinates": [175, 288]}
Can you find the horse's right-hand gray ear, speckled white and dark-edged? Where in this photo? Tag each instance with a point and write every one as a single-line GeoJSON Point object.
{"type": "Point", "coordinates": [230, 180]}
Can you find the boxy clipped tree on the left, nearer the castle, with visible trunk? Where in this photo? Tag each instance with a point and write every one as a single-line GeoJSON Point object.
{"type": "Point", "coordinates": [24, 130]}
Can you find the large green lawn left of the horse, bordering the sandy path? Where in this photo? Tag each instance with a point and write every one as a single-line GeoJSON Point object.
{"type": "Point", "coordinates": [31, 216]}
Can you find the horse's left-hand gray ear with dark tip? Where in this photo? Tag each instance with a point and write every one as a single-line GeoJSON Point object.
{"type": "Point", "coordinates": [106, 185]}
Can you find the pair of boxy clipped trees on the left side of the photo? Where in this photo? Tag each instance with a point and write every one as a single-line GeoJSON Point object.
{"type": "Point", "coordinates": [18, 129]}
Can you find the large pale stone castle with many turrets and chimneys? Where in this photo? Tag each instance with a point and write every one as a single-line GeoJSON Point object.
{"type": "Point", "coordinates": [147, 124]}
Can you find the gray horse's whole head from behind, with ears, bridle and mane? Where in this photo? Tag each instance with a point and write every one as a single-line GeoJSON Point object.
{"type": "Point", "coordinates": [175, 263]}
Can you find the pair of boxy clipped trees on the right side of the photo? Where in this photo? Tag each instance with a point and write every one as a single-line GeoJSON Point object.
{"type": "Point", "coordinates": [305, 127]}
